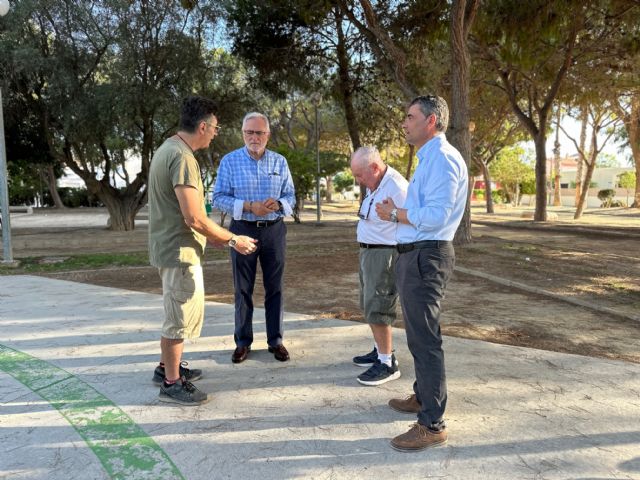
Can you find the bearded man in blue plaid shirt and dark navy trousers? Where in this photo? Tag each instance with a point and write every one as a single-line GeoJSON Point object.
{"type": "Point", "coordinates": [254, 186]}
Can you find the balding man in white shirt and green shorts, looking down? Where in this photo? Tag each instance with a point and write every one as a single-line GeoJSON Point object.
{"type": "Point", "coordinates": [377, 239]}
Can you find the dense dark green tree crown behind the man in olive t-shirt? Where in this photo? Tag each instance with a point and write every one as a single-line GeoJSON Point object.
{"type": "Point", "coordinates": [103, 81]}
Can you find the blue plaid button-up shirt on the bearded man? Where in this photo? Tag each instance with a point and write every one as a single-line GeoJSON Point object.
{"type": "Point", "coordinates": [242, 178]}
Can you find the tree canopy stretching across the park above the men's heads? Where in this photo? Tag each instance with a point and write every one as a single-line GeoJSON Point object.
{"type": "Point", "coordinates": [92, 86]}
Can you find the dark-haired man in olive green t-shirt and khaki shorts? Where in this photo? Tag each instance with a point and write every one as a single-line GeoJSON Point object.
{"type": "Point", "coordinates": [178, 232]}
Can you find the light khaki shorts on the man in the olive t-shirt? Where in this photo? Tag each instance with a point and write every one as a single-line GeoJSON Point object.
{"type": "Point", "coordinates": [183, 293]}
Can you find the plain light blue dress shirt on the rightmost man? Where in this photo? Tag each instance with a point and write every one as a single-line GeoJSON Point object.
{"type": "Point", "coordinates": [437, 193]}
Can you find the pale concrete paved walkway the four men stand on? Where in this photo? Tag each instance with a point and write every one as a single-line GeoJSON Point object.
{"type": "Point", "coordinates": [77, 402]}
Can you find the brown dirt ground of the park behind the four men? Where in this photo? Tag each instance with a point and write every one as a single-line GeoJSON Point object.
{"type": "Point", "coordinates": [321, 279]}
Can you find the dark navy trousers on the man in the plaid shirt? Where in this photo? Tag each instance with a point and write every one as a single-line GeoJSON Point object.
{"type": "Point", "coordinates": [271, 254]}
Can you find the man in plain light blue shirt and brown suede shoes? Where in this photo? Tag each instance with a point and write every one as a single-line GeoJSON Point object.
{"type": "Point", "coordinates": [427, 223]}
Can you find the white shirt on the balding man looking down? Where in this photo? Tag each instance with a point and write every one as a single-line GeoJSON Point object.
{"type": "Point", "coordinates": [371, 229]}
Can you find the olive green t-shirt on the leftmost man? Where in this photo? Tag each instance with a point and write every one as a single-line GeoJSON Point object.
{"type": "Point", "coordinates": [171, 242]}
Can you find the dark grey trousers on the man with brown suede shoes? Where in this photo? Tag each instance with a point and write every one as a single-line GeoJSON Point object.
{"type": "Point", "coordinates": [421, 276]}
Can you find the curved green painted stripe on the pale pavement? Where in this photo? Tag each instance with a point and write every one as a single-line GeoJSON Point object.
{"type": "Point", "coordinates": [123, 448]}
